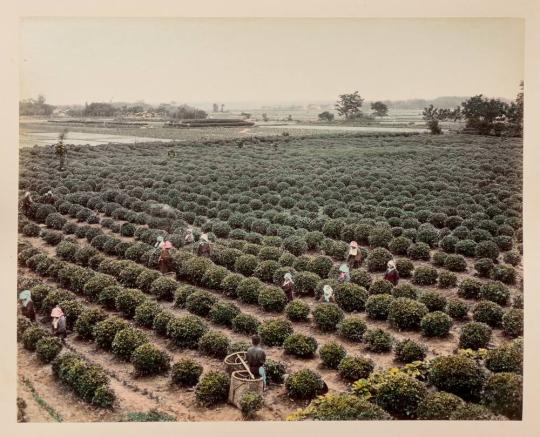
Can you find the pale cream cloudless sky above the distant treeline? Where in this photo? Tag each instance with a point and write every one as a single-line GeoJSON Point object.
{"type": "Point", "coordinates": [71, 61]}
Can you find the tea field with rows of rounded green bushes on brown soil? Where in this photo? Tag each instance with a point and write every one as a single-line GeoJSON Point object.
{"type": "Point", "coordinates": [444, 343]}
